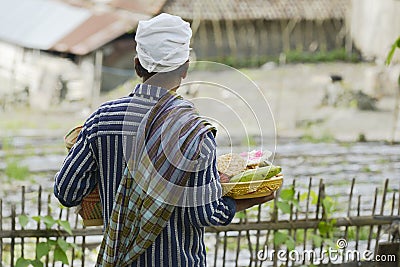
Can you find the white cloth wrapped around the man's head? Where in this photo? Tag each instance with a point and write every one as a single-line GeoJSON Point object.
{"type": "Point", "coordinates": [162, 43]}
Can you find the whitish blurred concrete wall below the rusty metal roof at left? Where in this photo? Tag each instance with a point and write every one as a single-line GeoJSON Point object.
{"type": "Point", "coordinates": [35, 78]}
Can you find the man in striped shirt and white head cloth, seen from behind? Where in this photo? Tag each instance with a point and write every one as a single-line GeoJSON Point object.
{"type": "Point", "coordinates": [153, 158]}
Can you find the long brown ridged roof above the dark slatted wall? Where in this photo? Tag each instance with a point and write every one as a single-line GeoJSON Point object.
{"type": "Point", "coordinates": [258, 9]}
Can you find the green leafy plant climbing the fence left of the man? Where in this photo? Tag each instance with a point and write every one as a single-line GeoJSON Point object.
{"type": "Point", "coordinates": [58, 247]}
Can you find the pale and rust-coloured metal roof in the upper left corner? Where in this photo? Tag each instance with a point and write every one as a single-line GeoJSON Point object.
{"type": "Point", "coordinates": [70, 27]}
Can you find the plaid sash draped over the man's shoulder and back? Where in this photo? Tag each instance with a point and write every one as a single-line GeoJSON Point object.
{"type": "Point", "coordinates": [167, 150]}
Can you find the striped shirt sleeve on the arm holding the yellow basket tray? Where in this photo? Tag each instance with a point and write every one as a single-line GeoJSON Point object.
{"type": "Point", "coordinates": [212, 208]}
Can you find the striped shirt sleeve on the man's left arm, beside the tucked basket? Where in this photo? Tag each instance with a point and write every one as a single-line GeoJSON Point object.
{"type": "Point", "coordinates": [77, 176]}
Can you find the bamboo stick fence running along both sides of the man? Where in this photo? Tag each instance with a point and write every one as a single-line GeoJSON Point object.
{"type": "Point", "coordinates": [364, 226]}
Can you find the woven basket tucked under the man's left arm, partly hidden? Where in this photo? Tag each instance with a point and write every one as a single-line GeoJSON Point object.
{"type": "Point", "coordinates": [90, 209]}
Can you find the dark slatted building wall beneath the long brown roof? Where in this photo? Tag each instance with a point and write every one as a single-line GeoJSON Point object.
{"type": "Point", "coordinates": [252, 39]}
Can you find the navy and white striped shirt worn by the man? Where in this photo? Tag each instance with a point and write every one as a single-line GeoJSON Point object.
{"type": "Point", "coordinates": [97, 158]}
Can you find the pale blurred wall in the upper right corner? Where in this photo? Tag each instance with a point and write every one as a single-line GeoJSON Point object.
{"type": "Point", "coordinates": [375, 25]}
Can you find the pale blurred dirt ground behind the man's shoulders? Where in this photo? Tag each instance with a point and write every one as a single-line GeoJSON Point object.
{"type": "Point", "coordinates": [282, 100]}
